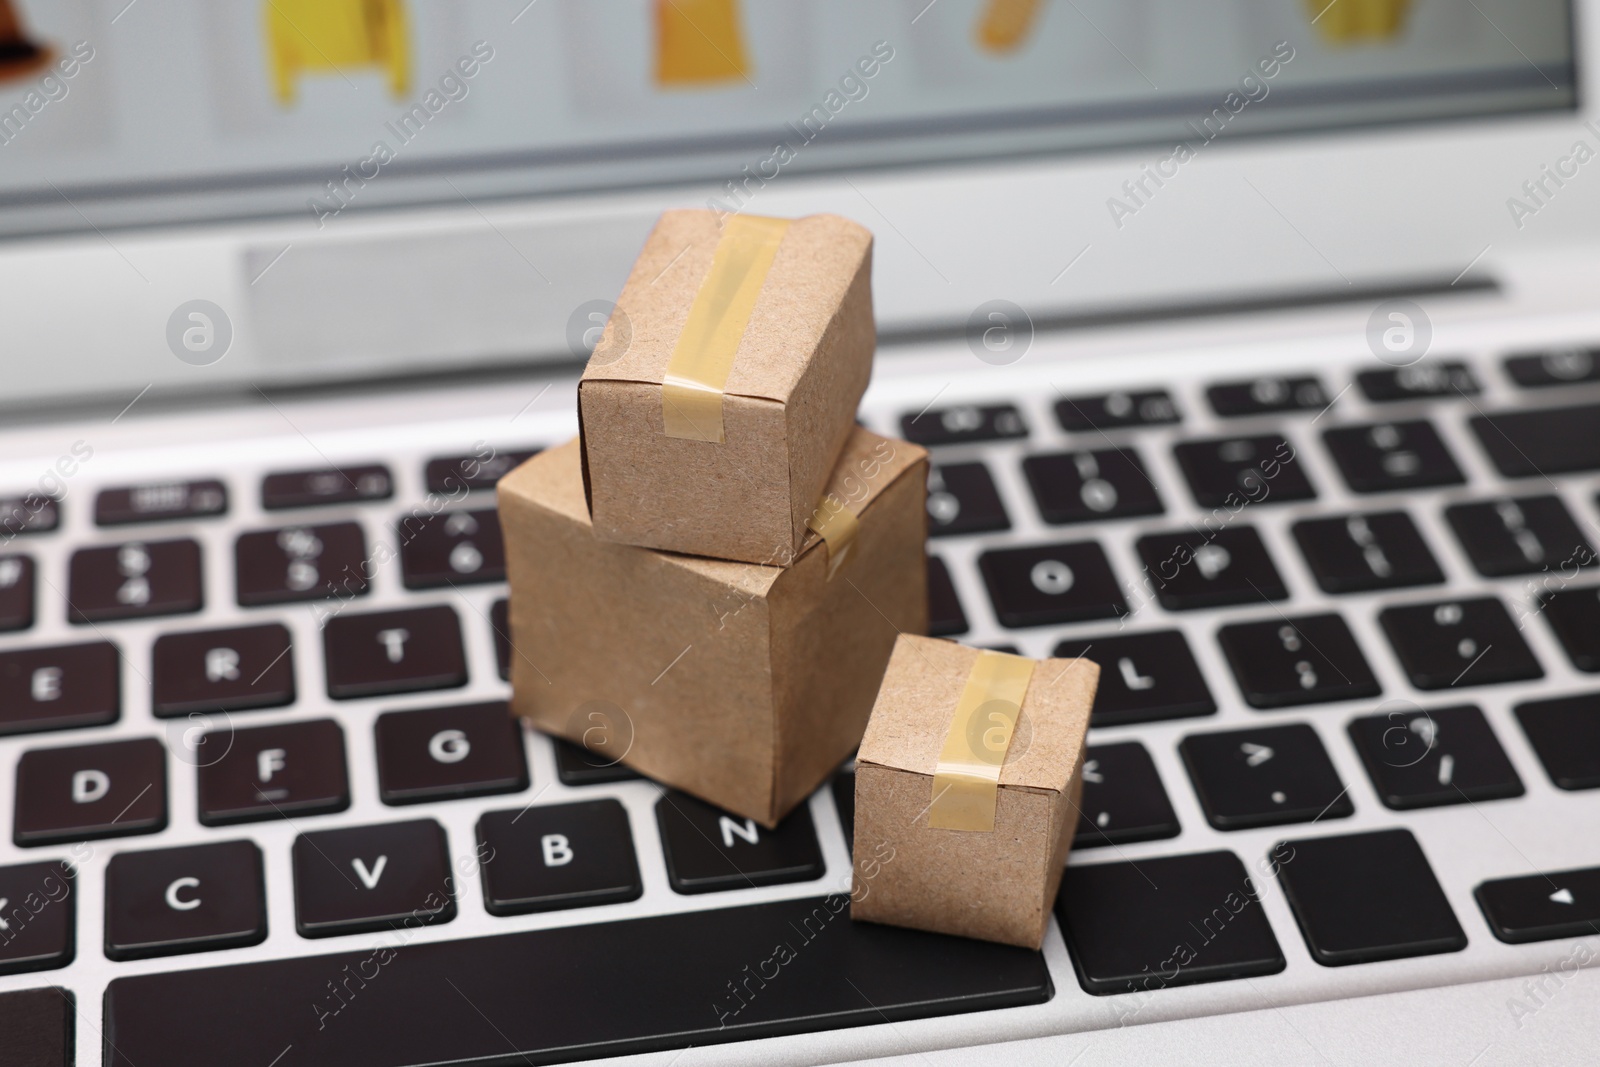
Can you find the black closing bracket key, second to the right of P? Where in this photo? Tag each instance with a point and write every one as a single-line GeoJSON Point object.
{"type": "Point", "coordinates": [1521, 537]}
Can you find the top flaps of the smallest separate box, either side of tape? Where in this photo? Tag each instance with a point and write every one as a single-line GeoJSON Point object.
{"type": "Point", "coordinates": [922, 685]}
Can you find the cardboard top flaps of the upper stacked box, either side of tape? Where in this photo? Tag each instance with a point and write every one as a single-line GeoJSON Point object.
{"type": "Point", "coordinates": [806, 287]}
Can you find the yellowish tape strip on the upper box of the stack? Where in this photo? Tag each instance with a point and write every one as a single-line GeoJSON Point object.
{"type": "Point", "coordinates": [698, 370]}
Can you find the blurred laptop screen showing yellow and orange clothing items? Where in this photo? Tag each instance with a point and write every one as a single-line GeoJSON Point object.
{"type": "Point", "coordinates": [130, 113]}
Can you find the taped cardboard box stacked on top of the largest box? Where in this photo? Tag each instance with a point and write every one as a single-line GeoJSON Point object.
{"type": "Point", "coordinates": [801, 364]}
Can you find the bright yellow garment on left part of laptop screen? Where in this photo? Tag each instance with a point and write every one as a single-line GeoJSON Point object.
{"type": "Point", "coordinates": [334, 36]}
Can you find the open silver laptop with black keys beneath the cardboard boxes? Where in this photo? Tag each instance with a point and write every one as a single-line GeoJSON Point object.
{"type": "Point", "coordinates": [1255, 348]}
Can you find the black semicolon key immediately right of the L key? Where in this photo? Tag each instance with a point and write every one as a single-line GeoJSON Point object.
{"type": "Point", "coordinates": [1287, 663]}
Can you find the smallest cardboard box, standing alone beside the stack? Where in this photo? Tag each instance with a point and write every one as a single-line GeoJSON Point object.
{"type": "Point", "coordinates": [996, 885]}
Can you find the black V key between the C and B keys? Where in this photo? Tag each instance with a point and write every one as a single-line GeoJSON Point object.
{"type": "Point", "coordinates": [372, 877]}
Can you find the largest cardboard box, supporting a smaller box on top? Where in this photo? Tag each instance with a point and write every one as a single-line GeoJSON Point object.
{"type": "Point", "coordinates": [742, 684]}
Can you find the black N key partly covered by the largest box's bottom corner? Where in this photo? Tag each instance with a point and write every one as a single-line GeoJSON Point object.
{"type": "Point", "coordinates": [710, 850]}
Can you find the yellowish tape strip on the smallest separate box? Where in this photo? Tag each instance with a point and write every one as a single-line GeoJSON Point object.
{"type": "Point", "coordinates": [967, 780]}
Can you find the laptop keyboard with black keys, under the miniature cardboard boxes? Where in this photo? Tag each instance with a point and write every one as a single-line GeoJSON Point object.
{"type": "Point", "coordinates": [254, 721]}
